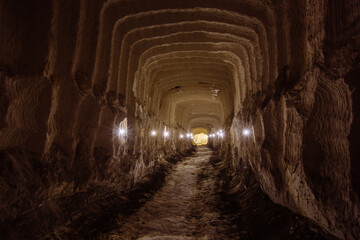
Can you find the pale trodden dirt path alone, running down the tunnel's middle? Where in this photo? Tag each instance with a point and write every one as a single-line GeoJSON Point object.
{"type": "Point", "coordinates": [184, 208]}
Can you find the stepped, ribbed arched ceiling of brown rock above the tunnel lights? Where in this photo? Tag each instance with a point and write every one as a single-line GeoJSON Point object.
{"type": "Point", "coordinates": [191, 63]}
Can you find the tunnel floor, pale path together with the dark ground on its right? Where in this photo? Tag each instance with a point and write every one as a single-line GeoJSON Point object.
{"type": "Point", "coordinates": [192, 205]}
